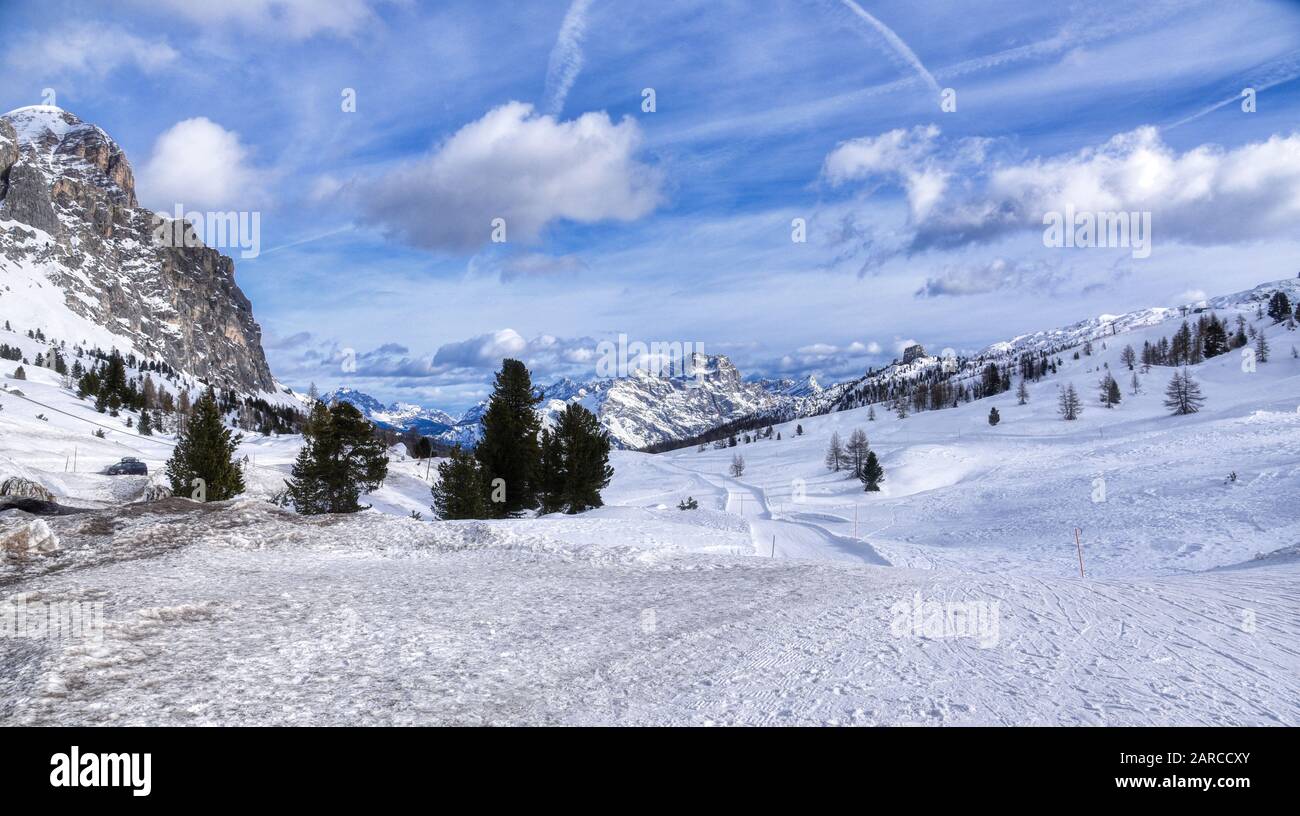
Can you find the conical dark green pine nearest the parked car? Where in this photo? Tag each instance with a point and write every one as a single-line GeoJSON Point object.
{"type": "Point", "coordinates": [206, 452]}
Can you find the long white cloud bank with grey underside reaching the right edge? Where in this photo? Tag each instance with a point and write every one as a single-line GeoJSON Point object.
{"type": "Point", "coordinates": [1207, 196]}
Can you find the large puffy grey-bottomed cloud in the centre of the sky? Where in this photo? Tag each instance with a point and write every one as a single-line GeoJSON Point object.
{"type": "Point", "coordinates": [527, 170]}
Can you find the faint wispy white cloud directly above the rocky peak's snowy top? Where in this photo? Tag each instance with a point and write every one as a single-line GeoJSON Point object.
{"type": "Point", "coordinates": [94, 49]}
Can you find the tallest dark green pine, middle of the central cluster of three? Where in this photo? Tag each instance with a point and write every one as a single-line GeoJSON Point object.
{"type": "Point", "coordinates": [510, 449]}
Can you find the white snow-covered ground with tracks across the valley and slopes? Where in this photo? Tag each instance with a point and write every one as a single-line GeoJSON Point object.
{"type": "Point", "coordinates": [790, 597]}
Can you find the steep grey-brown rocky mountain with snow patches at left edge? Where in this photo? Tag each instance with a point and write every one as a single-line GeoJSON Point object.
{"type": "Point", "coordinates": [79, 259]}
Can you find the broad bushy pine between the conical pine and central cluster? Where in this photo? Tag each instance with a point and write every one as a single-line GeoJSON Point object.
{"type": "Point", "coordinates": [341, 459]}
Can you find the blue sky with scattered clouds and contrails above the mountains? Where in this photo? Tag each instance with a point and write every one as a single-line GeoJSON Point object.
{"type": "Point", "coordinates": [677, 225]}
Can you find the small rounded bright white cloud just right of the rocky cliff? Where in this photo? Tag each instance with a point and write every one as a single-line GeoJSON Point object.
{"type": "Point", "coordinates": [202, 166]}
